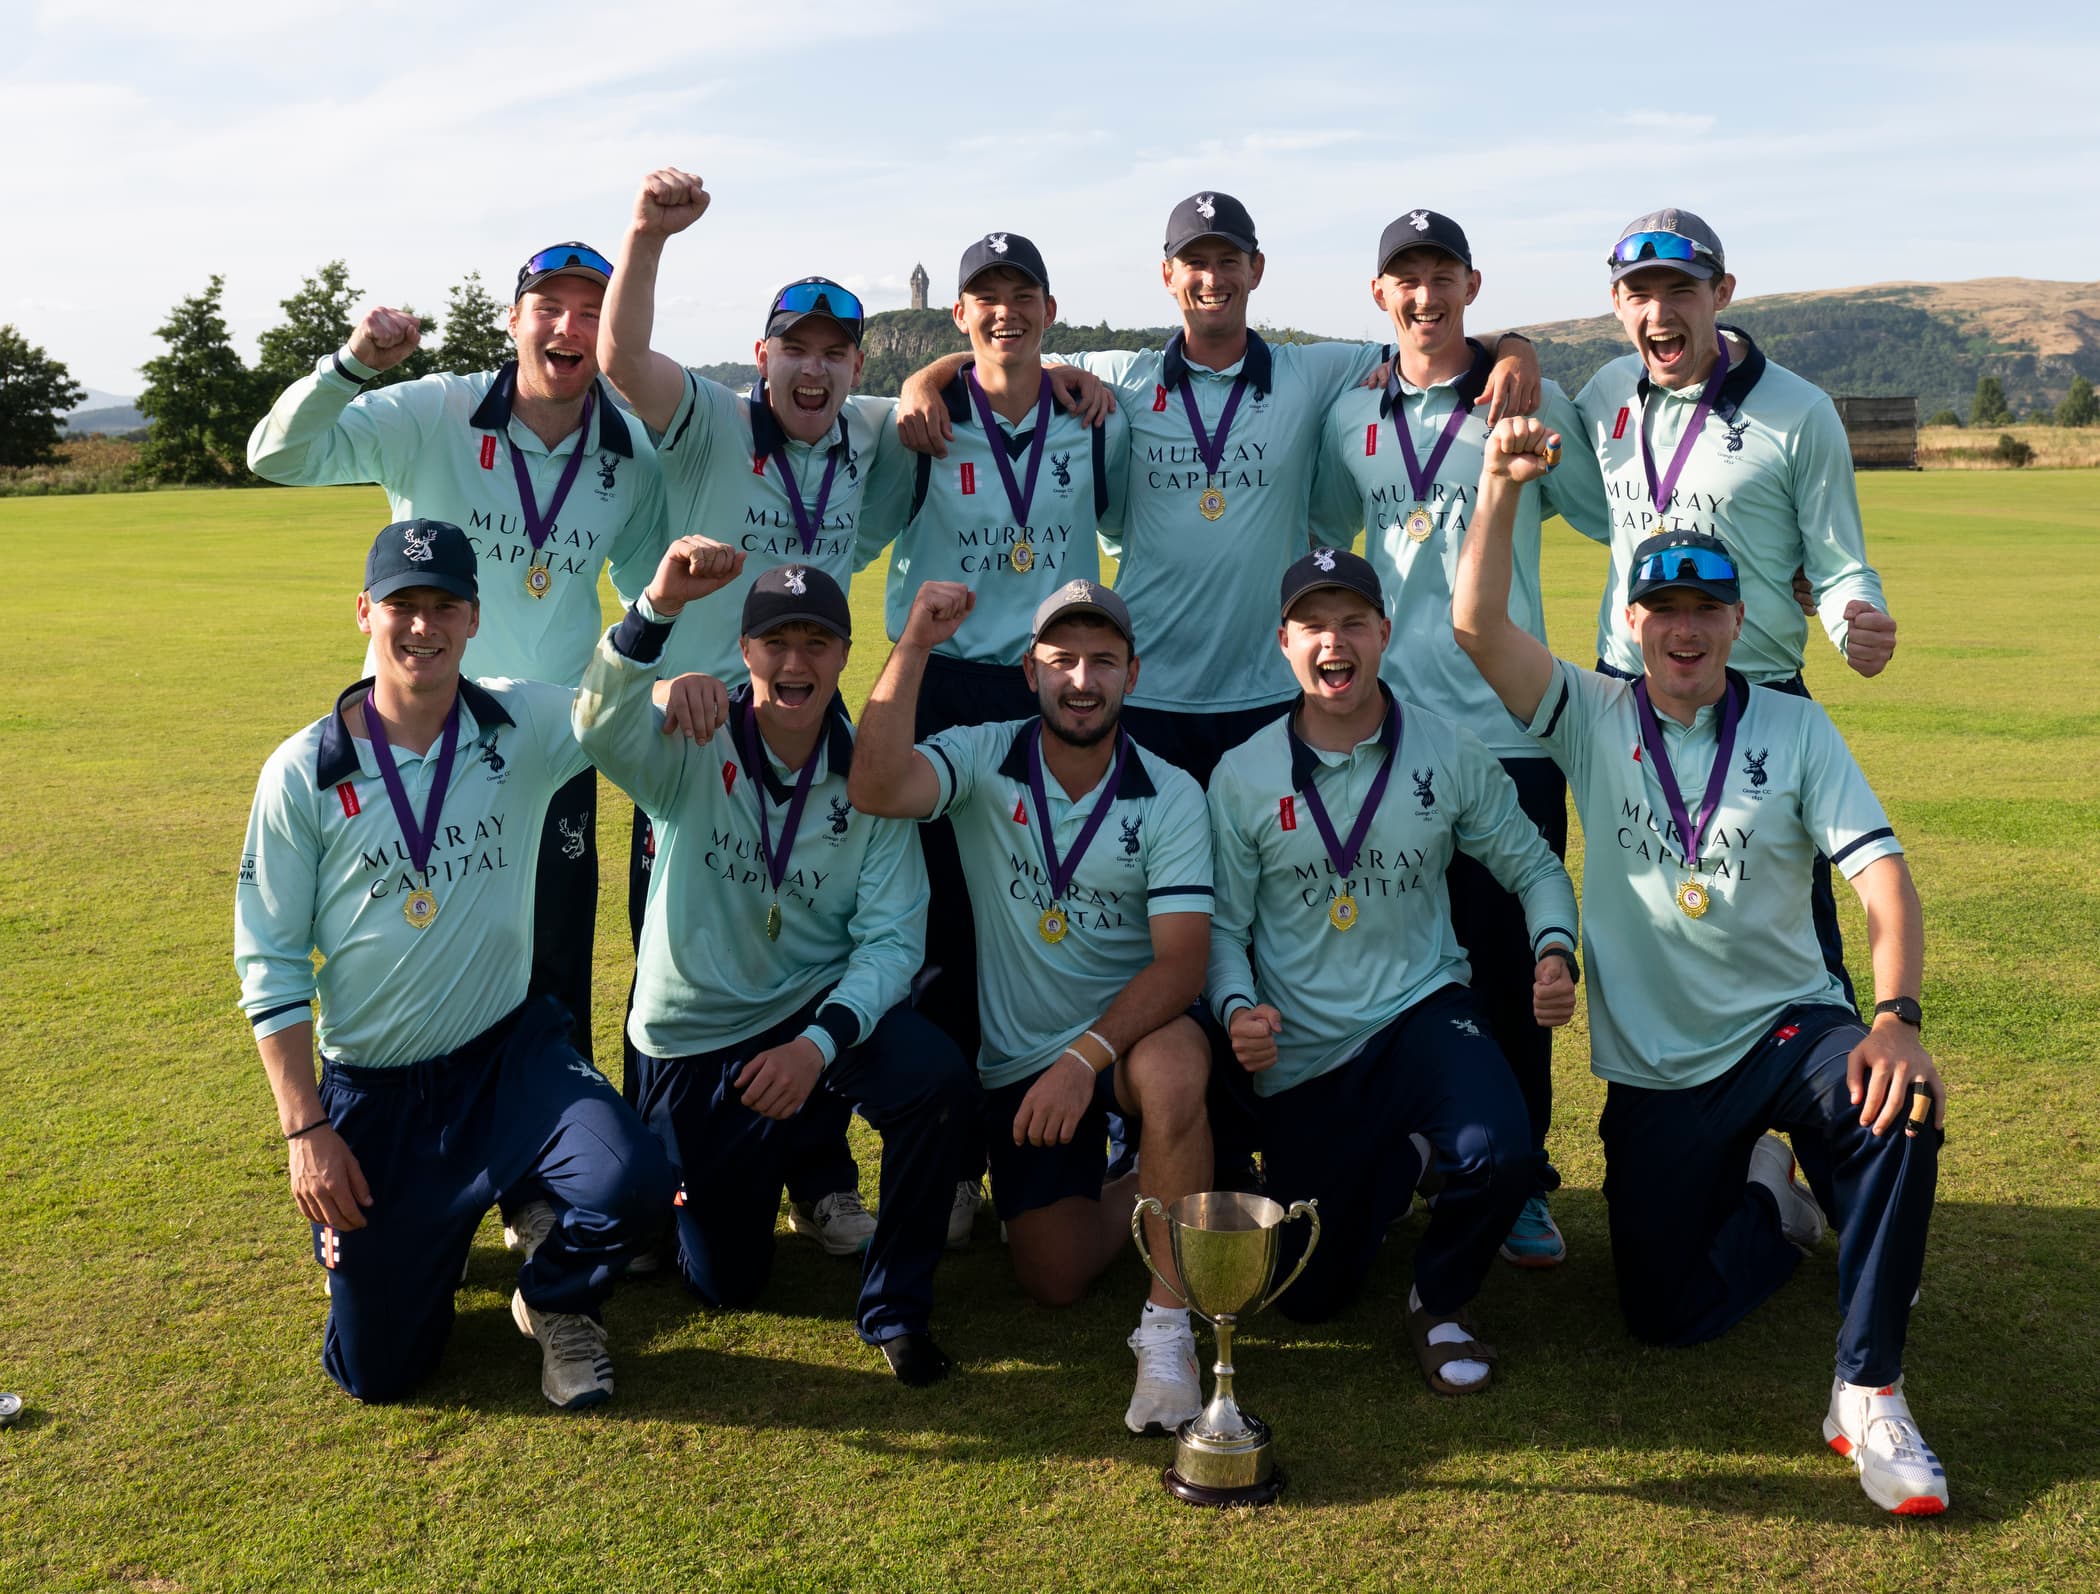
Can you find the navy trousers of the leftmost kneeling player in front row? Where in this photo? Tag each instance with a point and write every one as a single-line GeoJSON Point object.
{"type": "Point", "coordinates": [438, 1144]}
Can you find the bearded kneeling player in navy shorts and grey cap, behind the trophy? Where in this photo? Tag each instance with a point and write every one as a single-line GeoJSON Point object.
{"type": "Point", "coordinates": [1089, 873]}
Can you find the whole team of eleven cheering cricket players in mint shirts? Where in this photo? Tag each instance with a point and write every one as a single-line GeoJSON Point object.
{"type": "Point", "coordinates": [1246, 873]}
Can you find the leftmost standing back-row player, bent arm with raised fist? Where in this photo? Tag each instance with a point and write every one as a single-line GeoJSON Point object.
{"type": "Point", "coordinates": [551, 484]}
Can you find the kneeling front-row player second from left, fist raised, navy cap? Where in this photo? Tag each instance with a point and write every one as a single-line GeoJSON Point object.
{"type": "Point", "coordinates": [778, 946]}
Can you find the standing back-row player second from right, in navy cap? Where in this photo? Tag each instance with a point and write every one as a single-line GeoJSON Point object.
{"type": "Point", "coordinates": [1404, 465]}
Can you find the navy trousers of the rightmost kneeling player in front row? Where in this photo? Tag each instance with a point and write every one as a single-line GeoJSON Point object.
{"type": "Point", "coordinates": [1698, 1249]}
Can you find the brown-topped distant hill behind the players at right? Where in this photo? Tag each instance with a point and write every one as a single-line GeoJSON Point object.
{"type": "Point", "coordinates": [1927, 339]}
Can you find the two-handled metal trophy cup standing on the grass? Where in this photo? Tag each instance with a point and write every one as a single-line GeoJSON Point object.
{"type": "Point", "coordinates": [1225, 1251]}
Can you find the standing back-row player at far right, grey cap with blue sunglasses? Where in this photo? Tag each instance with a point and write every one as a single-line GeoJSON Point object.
{"type": "Point", "coordinates": [1698, 432]}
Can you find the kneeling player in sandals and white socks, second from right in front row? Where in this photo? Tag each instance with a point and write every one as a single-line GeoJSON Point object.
{"type": "Point", "coordinates": [1362, 1053]}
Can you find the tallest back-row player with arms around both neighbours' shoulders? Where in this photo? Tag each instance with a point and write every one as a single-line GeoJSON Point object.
{"type": "Point", "coordinates": [1223, 440]}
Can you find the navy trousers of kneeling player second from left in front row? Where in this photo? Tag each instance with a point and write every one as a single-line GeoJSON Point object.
{"type": "Point", "coordinates": [908, 1081]}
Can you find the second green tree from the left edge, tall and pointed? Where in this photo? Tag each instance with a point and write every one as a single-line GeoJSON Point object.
{"type": "Point", "coordinates": [198, 398]}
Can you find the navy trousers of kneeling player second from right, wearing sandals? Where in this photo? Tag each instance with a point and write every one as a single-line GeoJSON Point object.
{"type": "Point", "coordinates": [1429, 1083]}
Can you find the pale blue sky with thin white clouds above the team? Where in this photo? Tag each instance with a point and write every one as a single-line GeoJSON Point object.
{"type": "Point", "coordinates": [159, 142]}
